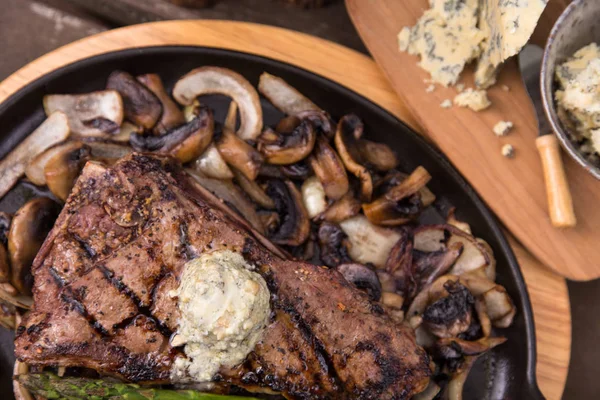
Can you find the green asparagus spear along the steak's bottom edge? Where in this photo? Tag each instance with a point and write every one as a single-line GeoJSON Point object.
{"type": "Point", "coordinates": [51, 386]}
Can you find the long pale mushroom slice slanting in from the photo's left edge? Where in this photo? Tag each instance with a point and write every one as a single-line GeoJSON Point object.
{"type": "Point", "coordinates": [52, 131]}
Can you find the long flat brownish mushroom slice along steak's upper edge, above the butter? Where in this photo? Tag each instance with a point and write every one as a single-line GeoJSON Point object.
{"type": "Point", "coordinates": [232, 195]}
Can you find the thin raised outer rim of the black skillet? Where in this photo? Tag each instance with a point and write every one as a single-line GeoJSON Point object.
{"type": "Point", "coordinates": [490, 219]}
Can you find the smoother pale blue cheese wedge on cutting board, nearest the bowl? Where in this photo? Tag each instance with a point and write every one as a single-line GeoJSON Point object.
{"type": "Point", "coordinates": [507, 26]}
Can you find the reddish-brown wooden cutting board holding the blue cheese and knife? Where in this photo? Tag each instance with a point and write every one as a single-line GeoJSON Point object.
{"type": "Point", "coordinates": [513, 188]}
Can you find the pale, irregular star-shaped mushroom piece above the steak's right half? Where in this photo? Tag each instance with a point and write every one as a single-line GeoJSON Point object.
{"type": "Point", "coordinates": [368, 243]}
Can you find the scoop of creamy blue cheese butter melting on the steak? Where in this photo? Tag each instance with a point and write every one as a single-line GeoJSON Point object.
{"type": "Point", "coordinates": [224, 309]}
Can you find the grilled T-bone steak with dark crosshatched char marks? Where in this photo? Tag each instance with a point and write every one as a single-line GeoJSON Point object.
{"type": "Point", "coordinates": [103, 276]}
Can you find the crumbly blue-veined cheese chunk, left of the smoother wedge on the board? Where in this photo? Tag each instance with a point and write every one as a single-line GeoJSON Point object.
{"type": "Point", "coordinates": [446, 38]}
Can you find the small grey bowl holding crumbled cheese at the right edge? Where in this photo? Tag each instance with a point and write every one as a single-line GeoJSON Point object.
{"type": "Point", "coordinates": [577, 27]}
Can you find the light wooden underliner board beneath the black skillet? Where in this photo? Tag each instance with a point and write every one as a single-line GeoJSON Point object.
{"type": "Point", "coordinates": [548, 291]}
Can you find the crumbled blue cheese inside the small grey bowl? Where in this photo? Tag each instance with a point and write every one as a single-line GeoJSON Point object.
{"type": "Point", "coordinates": [578, 98]}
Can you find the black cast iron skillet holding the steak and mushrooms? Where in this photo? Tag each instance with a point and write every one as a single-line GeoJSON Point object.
{"type": "Point", "coordinates": [506, 373]}
